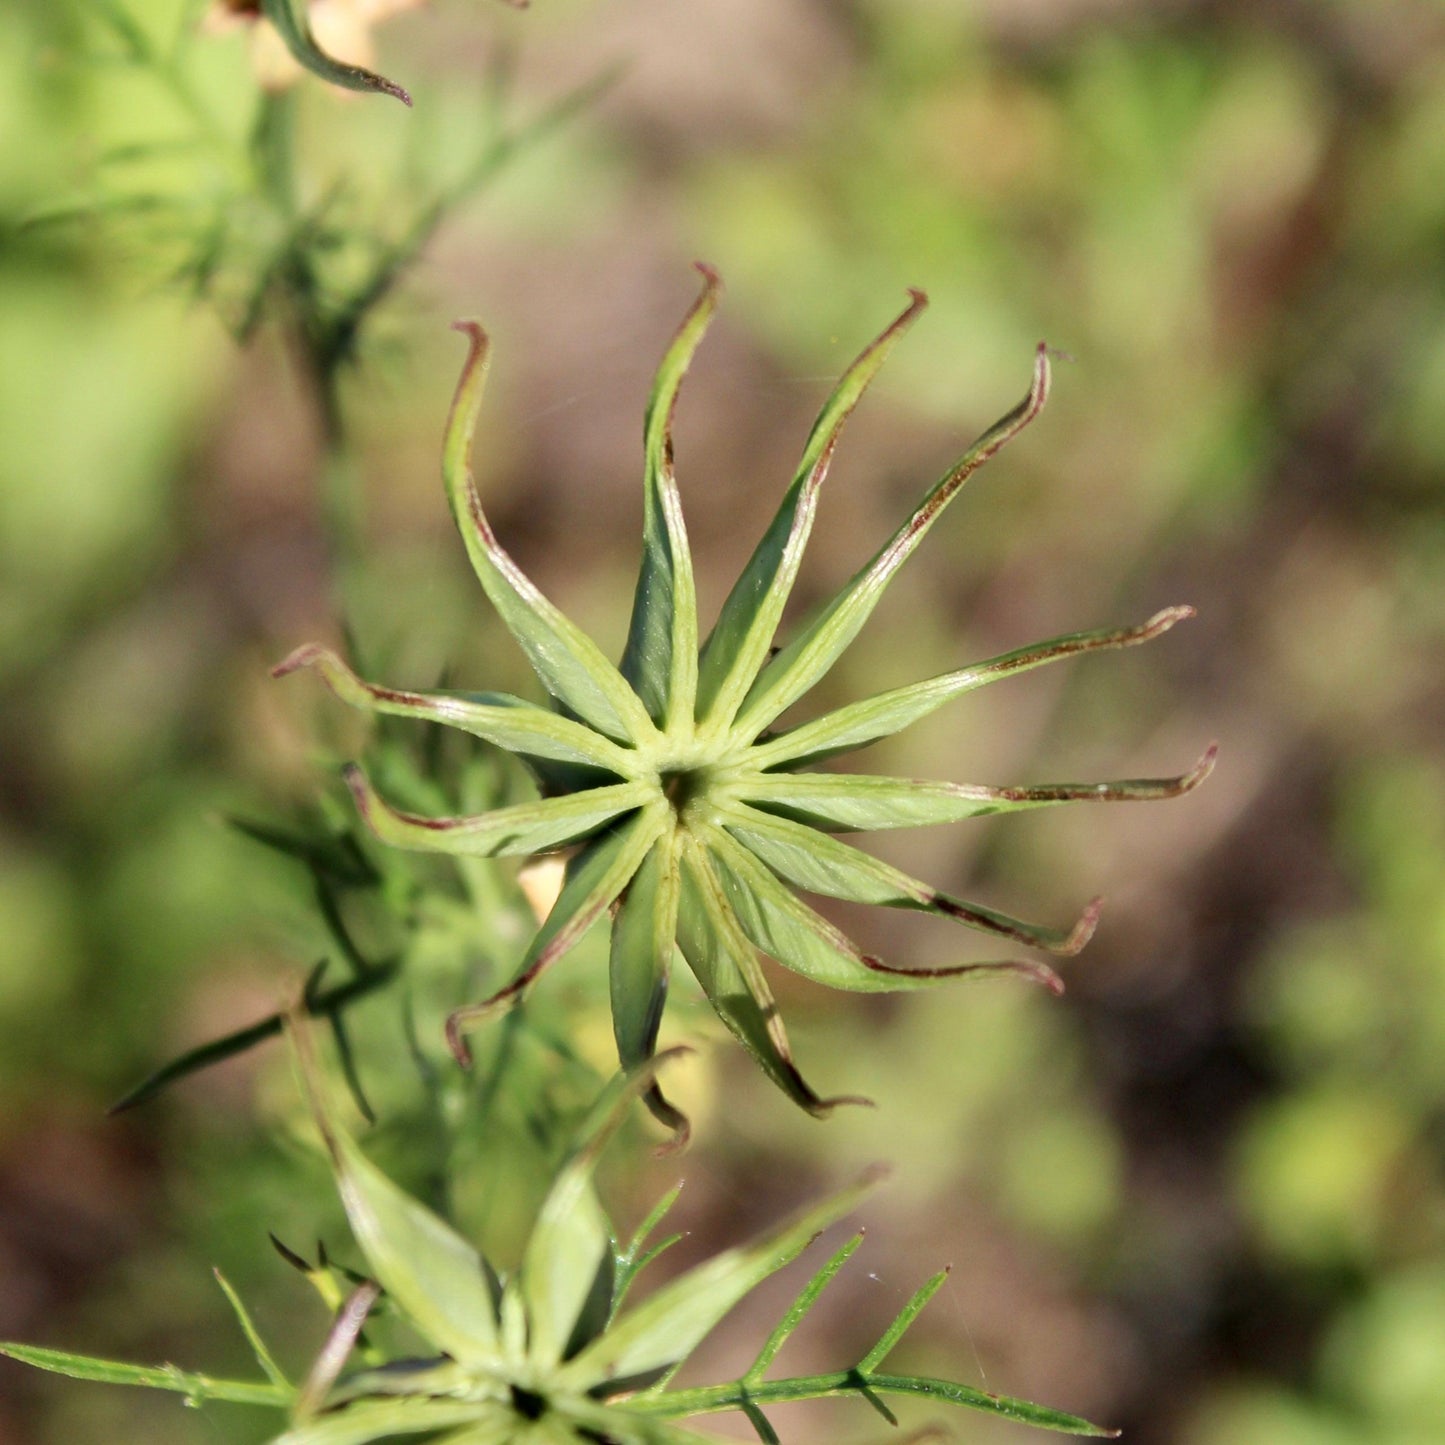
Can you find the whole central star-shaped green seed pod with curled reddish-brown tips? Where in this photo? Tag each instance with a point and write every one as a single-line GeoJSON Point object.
{"type": "Point", "coordinates": [694, 823]}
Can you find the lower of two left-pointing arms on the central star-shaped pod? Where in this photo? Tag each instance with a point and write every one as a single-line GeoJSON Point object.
{"type": "Point", "coordinates": [537, 827]}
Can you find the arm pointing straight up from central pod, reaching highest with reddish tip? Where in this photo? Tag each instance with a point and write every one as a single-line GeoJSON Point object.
{"type": "Point", "coordinates": [661, 661]}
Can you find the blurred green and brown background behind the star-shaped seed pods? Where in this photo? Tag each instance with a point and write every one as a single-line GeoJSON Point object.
{"type": "Point", "coordinates": [1203, 1197]}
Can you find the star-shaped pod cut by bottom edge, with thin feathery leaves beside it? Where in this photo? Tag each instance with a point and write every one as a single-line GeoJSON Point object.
{"type": "Point", "coordinates": [558, 1350]}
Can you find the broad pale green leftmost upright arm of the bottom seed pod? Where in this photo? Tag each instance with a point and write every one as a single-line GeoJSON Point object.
{"type": "Point", "coordinates": [433, 1274]}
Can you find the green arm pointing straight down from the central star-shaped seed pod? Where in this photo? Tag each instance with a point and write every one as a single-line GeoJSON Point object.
{"type": "Point", "coordinates": [644, 934]}
